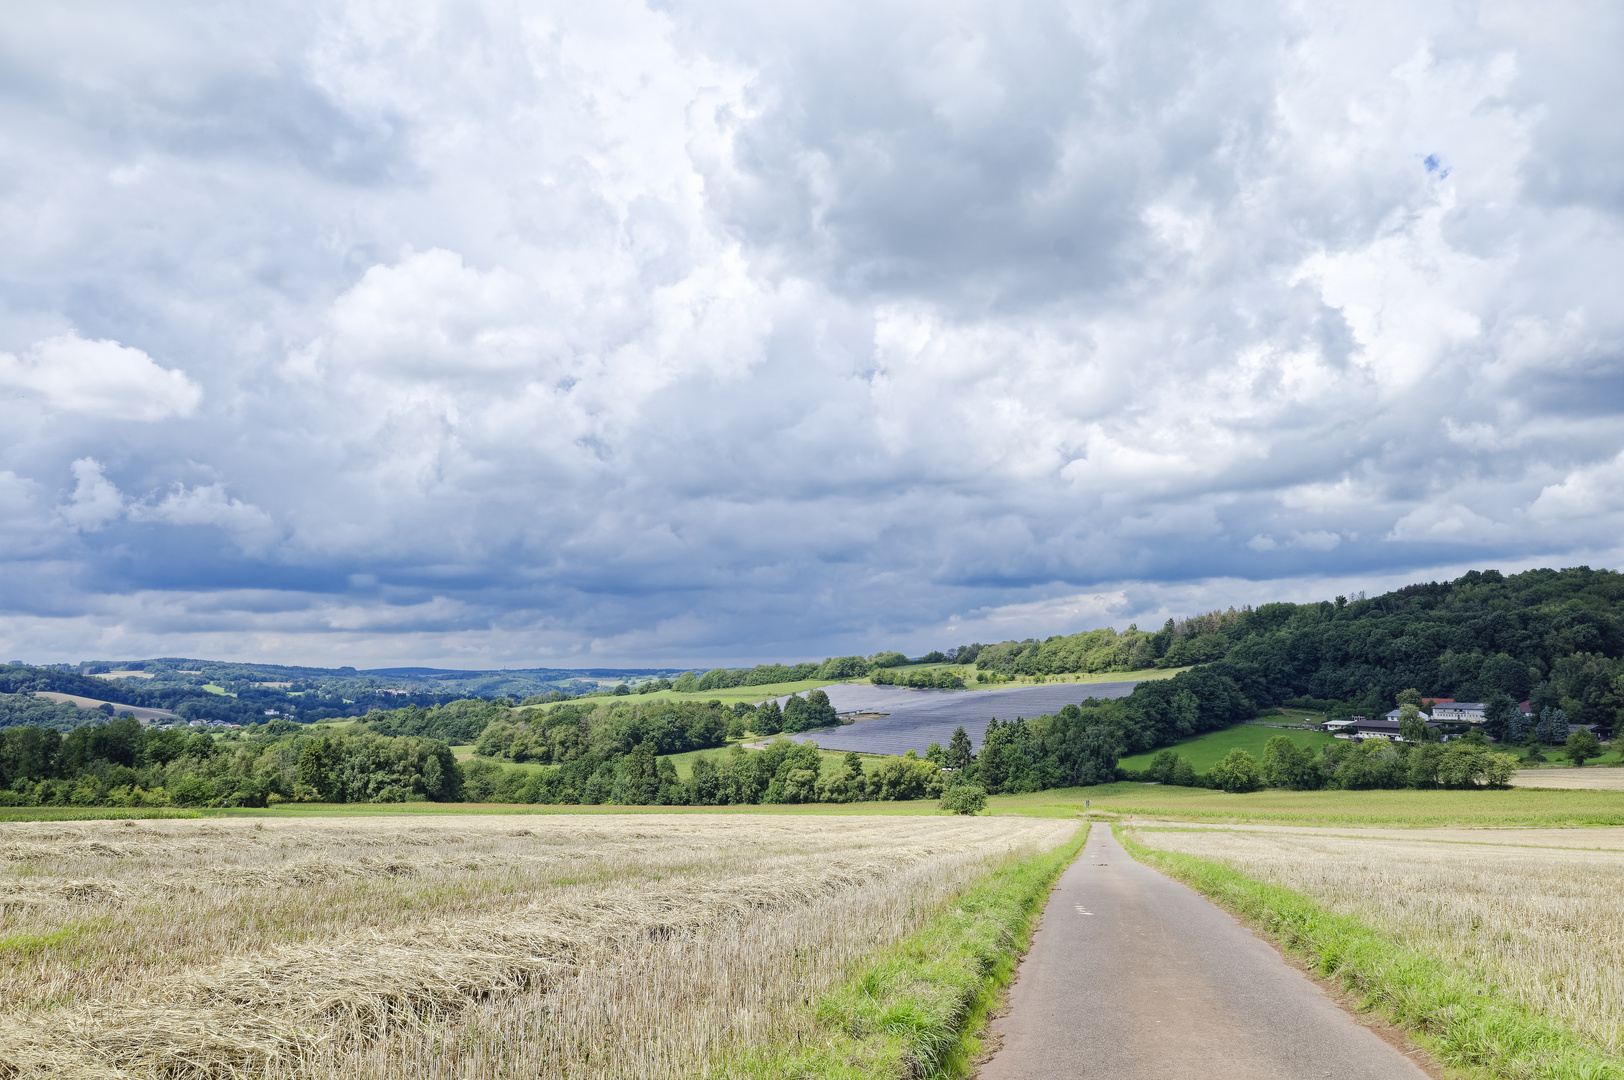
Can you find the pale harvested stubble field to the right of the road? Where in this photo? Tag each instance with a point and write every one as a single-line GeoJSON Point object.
{"type": "Point", "coordinates": [1539, 922]}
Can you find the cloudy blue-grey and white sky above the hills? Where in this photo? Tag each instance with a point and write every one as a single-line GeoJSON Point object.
{"type": "Point", "coordinates": [561, 334]}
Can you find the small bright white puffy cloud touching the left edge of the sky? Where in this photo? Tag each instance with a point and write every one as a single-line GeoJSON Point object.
{"type": "Point", "coordinates": [100, 379]}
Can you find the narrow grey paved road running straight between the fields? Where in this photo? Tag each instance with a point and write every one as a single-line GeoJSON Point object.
{"type": "Point", "coordinates": [1136, 977]}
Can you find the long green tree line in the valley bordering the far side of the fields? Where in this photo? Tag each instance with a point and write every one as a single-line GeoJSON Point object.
{"type": "Point", "coordinates": [623, 753]}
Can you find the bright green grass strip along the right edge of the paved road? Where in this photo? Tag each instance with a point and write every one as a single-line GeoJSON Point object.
{"type": "Point", "coordinates": [1466, 1022]}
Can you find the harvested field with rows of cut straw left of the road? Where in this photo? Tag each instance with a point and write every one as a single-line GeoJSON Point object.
{"type": "Point", "coordinates": [475, 948]}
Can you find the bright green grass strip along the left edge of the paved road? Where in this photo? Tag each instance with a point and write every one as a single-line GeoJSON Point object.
{"type": "Point", "coordinates": [918, 1008]}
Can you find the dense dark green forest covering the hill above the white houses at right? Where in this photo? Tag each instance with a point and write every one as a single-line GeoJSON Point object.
{"type": "Point", "coordinates": [1550, 636]}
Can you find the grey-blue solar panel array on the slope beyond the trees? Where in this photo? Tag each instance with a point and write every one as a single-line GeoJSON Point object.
{"type": "Point", "coordinates": [917, 719]}
